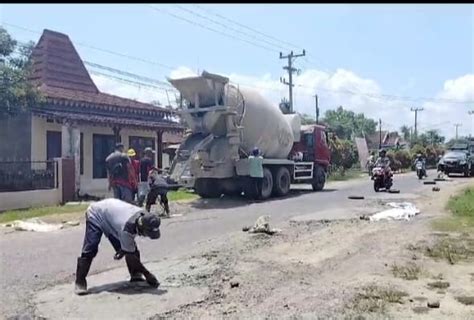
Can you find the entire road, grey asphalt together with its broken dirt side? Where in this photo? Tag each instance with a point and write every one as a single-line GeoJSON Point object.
{"type": "Point", "coordinates": [323, 257]}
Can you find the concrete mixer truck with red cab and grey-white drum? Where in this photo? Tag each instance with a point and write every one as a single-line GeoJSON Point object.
{"type": "Point", "coordinates": [225, 123]}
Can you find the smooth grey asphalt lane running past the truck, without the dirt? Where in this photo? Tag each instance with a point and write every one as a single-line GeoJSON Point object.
{"type": "Point", "coordinates": [31, 261]}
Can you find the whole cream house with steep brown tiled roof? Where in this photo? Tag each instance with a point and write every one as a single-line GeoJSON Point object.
{"type": "Point", "coordinates": [78, 121]}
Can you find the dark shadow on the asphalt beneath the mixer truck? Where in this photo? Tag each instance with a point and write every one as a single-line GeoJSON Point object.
{"type": "Point", "coordinates": [227, 202]}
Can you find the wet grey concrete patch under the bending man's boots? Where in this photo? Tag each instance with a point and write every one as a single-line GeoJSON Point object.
{"type": "Point", "coordinates": [112, 296]}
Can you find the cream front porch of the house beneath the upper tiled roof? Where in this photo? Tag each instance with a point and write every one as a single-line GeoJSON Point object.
{"type": "Point", "coordinates": [90, 141]}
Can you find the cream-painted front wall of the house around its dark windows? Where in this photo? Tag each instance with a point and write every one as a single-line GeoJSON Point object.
{"type": "Point", "coordinates": [97, 187]}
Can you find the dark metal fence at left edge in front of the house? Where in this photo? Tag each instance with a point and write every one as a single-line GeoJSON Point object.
{"type": "Point", "coordinates": [28, 175]}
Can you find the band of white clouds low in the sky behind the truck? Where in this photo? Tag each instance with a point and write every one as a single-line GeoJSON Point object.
{"type": "Point", "coordinates": [342, 87]}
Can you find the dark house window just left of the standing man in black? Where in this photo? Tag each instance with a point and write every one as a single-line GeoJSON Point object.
{"type": "Point", "coordinates": [102, 146]}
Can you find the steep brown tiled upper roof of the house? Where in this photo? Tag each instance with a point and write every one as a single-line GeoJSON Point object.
{"type": "Point", "coordinates": [59, 72]}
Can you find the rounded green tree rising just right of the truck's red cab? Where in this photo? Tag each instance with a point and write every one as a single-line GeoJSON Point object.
{"type": "Point", "coordinates": [347, 124]}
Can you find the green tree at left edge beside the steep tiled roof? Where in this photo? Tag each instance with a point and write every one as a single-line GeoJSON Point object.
{"type": "Point", "coordinates": [17, 94]}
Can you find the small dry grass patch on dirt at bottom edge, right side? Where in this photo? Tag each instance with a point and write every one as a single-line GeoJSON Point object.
{"type": "Point", "coordinates": [375, 299]}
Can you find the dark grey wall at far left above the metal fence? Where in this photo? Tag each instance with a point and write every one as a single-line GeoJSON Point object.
{"type": "Point", "coordinates": [15, 138]}
